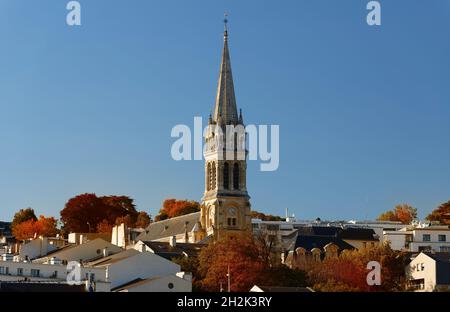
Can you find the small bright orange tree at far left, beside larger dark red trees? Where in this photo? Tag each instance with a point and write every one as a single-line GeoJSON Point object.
{"type": "Point", "coordinates": [32, 228]}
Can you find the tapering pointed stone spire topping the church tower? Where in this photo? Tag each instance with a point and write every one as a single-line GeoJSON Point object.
{"type": "Point", "coordinates": [225, 108]}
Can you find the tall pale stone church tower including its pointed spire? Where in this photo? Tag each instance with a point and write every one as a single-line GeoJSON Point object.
{"type": "Point", "coordinates": [226, 206]}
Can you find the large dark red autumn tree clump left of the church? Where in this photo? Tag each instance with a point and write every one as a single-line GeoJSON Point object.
{"type": "Point", "coordinates": [84, 212]}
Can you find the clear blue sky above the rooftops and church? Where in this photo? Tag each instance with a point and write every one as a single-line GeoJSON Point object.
{"type": "Point", "coordinates": [363, 112]}
